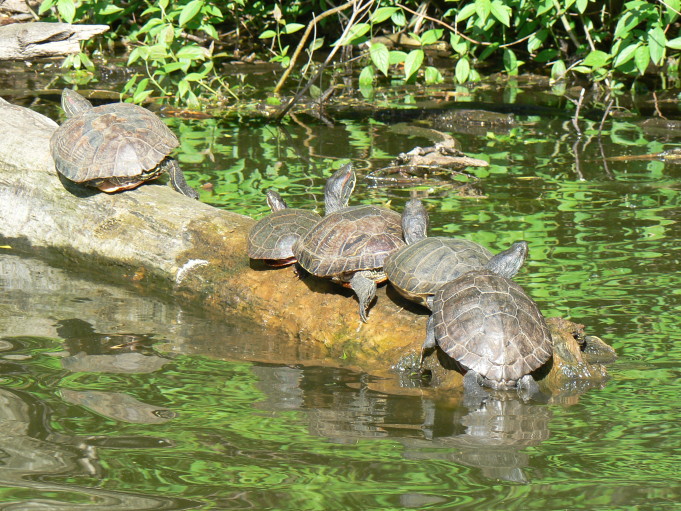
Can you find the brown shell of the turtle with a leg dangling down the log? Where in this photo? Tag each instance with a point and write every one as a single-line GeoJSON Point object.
{"type": "Point", "coordinates": [349, 240]}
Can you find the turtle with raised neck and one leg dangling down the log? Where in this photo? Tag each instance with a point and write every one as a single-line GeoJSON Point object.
{"type": "Point", "coordinates": [350, 244]}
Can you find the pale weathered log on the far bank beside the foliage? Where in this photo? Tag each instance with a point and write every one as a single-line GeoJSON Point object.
{"type": "Point", "coordinates": [26, 41]}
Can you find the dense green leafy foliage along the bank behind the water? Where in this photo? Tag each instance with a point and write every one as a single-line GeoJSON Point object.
{"type": "Point", "coordinates": [176, 47]}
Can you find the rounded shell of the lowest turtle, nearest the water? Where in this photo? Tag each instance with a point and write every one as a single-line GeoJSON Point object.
{"type": "Point", "coordinates": [488, 324]}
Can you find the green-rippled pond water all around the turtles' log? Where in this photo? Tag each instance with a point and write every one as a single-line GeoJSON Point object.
{"type": "Point", "coordinates": [114, 399]}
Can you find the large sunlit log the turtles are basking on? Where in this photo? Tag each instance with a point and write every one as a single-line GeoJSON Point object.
{"type": "Point", "coordinates": [157, 236]}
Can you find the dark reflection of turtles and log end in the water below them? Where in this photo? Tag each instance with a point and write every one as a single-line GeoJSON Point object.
{"type": "Point", "coordinates": [485, 431]}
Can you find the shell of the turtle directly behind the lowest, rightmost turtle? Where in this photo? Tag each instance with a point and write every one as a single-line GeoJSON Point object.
{"type": "Point", "coordinates": [419, 269]}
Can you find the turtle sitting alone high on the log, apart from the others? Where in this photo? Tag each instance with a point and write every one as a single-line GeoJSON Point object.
{"type": "Point", "coordinates": [114, 147]}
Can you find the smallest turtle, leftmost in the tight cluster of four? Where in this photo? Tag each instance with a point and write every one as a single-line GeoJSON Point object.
{"type": "Point", "coordinates": [272, 238]}
